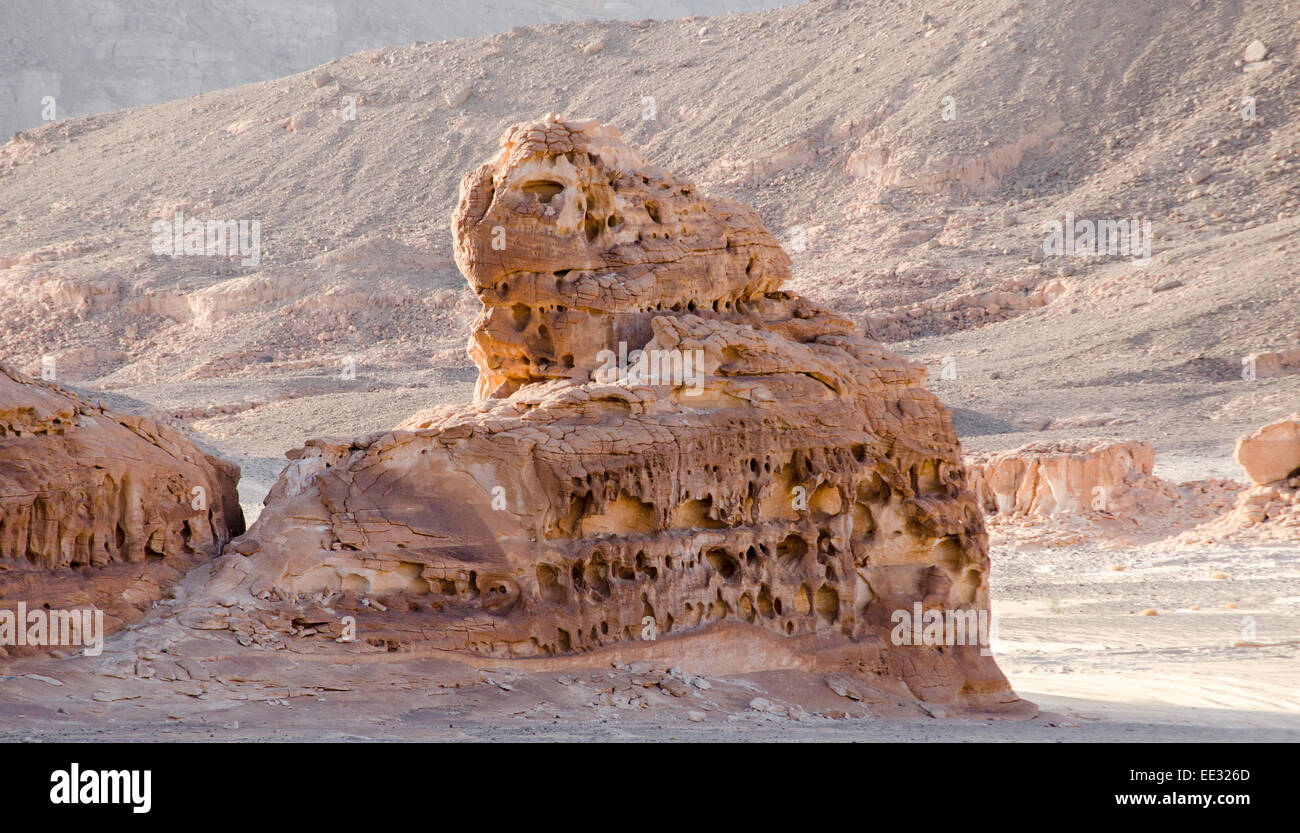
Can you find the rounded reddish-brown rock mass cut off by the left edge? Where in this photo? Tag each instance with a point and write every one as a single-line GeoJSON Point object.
{"type": "Point", "coordinates": [99, 509]}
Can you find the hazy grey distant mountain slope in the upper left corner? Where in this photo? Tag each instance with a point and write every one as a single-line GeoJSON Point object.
{"type": "Point", "coordinates": [103, 57]}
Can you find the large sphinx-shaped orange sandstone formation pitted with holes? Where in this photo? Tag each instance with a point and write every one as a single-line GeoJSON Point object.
{"type": "Point", "coordinates": [668, 457]}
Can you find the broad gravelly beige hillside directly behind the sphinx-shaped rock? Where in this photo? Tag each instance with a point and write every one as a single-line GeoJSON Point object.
{"type": "Point", "coordinates": [908, 157]}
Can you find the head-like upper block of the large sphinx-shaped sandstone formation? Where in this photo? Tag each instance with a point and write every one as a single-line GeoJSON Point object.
{"type": "Point", "coordinates": [575, 244]}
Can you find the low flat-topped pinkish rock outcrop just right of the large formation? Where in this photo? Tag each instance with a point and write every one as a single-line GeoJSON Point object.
{"type": "Point", "coordinates": [1050, 478]}
